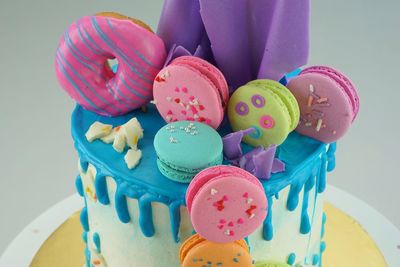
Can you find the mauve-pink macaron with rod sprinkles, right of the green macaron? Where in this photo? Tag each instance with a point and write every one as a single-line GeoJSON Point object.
{"type": "Point", "coordinates": [328, 103]}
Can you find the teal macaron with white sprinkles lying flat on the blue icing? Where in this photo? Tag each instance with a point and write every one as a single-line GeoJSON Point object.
{"type": "Point", "coordinates": [184, 148]}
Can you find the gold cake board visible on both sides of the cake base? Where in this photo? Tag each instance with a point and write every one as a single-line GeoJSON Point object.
{"type": "Point", "coordinates": [348, 244]}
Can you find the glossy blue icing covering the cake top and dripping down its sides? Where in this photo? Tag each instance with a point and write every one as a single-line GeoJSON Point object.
{"type": "Point", "coordinates": [146, 184]}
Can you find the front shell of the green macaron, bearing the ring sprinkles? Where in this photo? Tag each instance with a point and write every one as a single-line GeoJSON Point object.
{"type": "Point", "coordinates": [272, 120]}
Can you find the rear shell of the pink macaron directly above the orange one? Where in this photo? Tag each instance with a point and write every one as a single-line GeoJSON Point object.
{"type": "Point", "coordinates": [209, 174]}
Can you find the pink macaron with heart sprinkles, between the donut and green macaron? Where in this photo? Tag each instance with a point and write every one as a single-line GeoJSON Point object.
{"type": "Point", "coordinates": [191, 89]}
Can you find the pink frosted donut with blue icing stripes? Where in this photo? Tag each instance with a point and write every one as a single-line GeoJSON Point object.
{"type": "Point", "coordinates": [83, 71]}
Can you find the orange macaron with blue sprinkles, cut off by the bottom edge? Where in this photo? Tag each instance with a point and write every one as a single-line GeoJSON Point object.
{"type": "Point", "coordinates": [213, 254]}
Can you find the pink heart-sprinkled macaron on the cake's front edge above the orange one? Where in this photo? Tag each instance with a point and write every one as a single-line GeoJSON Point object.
{"type": "Point", "coordinates": [226, 203]}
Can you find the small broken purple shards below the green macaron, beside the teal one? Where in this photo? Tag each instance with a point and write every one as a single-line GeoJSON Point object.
{"type": "Point", "coordinates": [261, 162]}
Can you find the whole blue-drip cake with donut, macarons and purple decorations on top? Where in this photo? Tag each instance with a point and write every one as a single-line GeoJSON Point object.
{"type": "Point", "coordinates": [205, 145]}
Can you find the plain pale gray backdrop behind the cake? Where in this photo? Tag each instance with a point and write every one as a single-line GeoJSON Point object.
{"type": "Point", "coordinates": [38, 163]}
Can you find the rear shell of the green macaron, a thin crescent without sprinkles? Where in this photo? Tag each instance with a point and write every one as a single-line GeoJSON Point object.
{"type": "Point", "coordinates": [286, 96]}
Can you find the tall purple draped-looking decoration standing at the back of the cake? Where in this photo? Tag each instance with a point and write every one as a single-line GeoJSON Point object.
{"type": "Point", "coordinates": [249, 39]}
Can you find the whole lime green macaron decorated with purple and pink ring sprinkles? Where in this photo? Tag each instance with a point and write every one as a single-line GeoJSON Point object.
{"type": "Point", "coordinates": [268, 107]}
